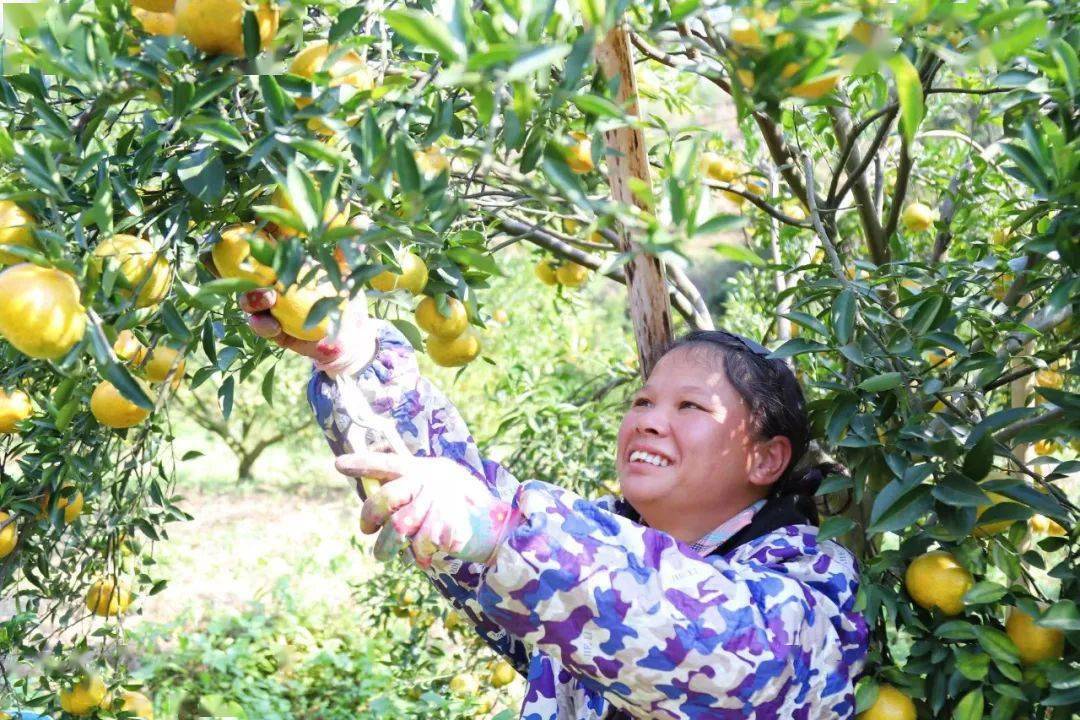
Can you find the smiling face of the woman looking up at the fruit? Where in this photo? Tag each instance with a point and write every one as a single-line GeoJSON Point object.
{"type": "Point", "coordinates": [686, 446]}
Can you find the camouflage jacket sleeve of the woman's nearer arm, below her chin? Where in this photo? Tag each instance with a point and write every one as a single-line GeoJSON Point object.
{"type": "Point", "coordinates": [663, 632]}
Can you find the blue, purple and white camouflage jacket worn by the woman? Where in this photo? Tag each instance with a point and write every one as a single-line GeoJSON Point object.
{"type": "Point", "coordinates": [603, 615]}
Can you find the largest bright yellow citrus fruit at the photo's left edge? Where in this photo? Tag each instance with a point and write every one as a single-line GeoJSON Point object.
{"type": "Point", "coordinates": [40, 314]}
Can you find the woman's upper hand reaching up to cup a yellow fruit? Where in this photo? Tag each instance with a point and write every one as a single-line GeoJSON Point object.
{"type": "Point", "coordinates": [354, 343]}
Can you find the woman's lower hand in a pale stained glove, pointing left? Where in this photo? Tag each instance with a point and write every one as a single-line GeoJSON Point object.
{"type": "Point", "coordinates": [434, 504]}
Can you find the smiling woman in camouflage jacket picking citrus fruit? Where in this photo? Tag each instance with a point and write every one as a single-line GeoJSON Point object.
{"type": "Point", "coordinates": [704, 593]}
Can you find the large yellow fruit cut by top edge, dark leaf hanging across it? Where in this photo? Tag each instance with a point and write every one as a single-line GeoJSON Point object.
{"type": "Point", "coordinates": [217, 26]}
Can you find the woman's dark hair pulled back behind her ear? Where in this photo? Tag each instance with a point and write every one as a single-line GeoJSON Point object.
{"type": "Point", "coordinates": [777, 409]}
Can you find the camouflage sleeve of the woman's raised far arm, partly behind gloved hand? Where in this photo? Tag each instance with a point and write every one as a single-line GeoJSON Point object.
{"type": "Point", "coordinates": [430, 426]}
